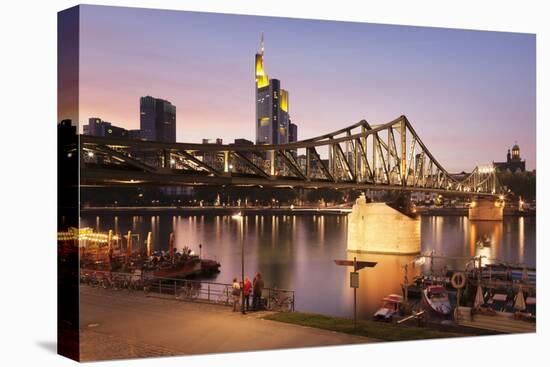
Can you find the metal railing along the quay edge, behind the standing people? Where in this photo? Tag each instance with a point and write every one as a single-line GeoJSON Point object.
{"type": "Point", "coordinates": [273, 299]}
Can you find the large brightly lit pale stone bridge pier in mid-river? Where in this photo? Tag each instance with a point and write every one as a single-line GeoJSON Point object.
{"type": "Point", "coordinates": [379, 228]}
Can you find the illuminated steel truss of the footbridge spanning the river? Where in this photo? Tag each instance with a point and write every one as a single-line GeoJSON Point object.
{"type": "Point", "coordinates": [387, 156]}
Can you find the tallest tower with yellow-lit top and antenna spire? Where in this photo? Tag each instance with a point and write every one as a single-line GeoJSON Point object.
{"type": "Point", "coordinates": [272, 120]}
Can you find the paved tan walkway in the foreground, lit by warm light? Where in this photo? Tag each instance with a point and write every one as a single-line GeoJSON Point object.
{"type": "Point", "coordinates": [120, 324]}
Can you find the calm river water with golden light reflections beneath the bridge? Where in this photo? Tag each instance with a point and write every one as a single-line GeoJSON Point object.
{"type": "Point", "coordinates": [298, 252]}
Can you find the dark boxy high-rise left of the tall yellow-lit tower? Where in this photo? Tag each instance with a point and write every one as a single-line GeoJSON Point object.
{"type": "Point", "coordinates": [157, 119]}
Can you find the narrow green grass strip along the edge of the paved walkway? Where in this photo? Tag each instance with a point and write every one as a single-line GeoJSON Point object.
{"type": "Point", "coordinates": [370, 329]}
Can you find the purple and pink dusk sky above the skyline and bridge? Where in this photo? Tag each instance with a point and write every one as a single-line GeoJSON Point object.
{"type": "Point", "coordinates": [470, 95]}
